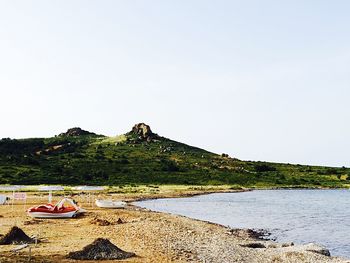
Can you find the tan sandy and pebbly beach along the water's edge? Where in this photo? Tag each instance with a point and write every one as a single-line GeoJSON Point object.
{"type": "Point", "coordinates": [154, 237]}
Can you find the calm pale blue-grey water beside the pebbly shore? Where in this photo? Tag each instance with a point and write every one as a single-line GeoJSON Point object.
{"type": "Point", "coordinates": [300, 216]}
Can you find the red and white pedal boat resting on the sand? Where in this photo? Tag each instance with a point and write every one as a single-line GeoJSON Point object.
{"type": "Point", "coordinates": [56, 211]}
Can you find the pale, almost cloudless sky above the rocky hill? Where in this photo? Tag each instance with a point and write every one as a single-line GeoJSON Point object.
{"type": "Point", "coordinates": [259, 80]}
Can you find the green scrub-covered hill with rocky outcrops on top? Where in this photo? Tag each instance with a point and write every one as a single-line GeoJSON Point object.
{"type": "Point", "coordinates": [143, 157]}
